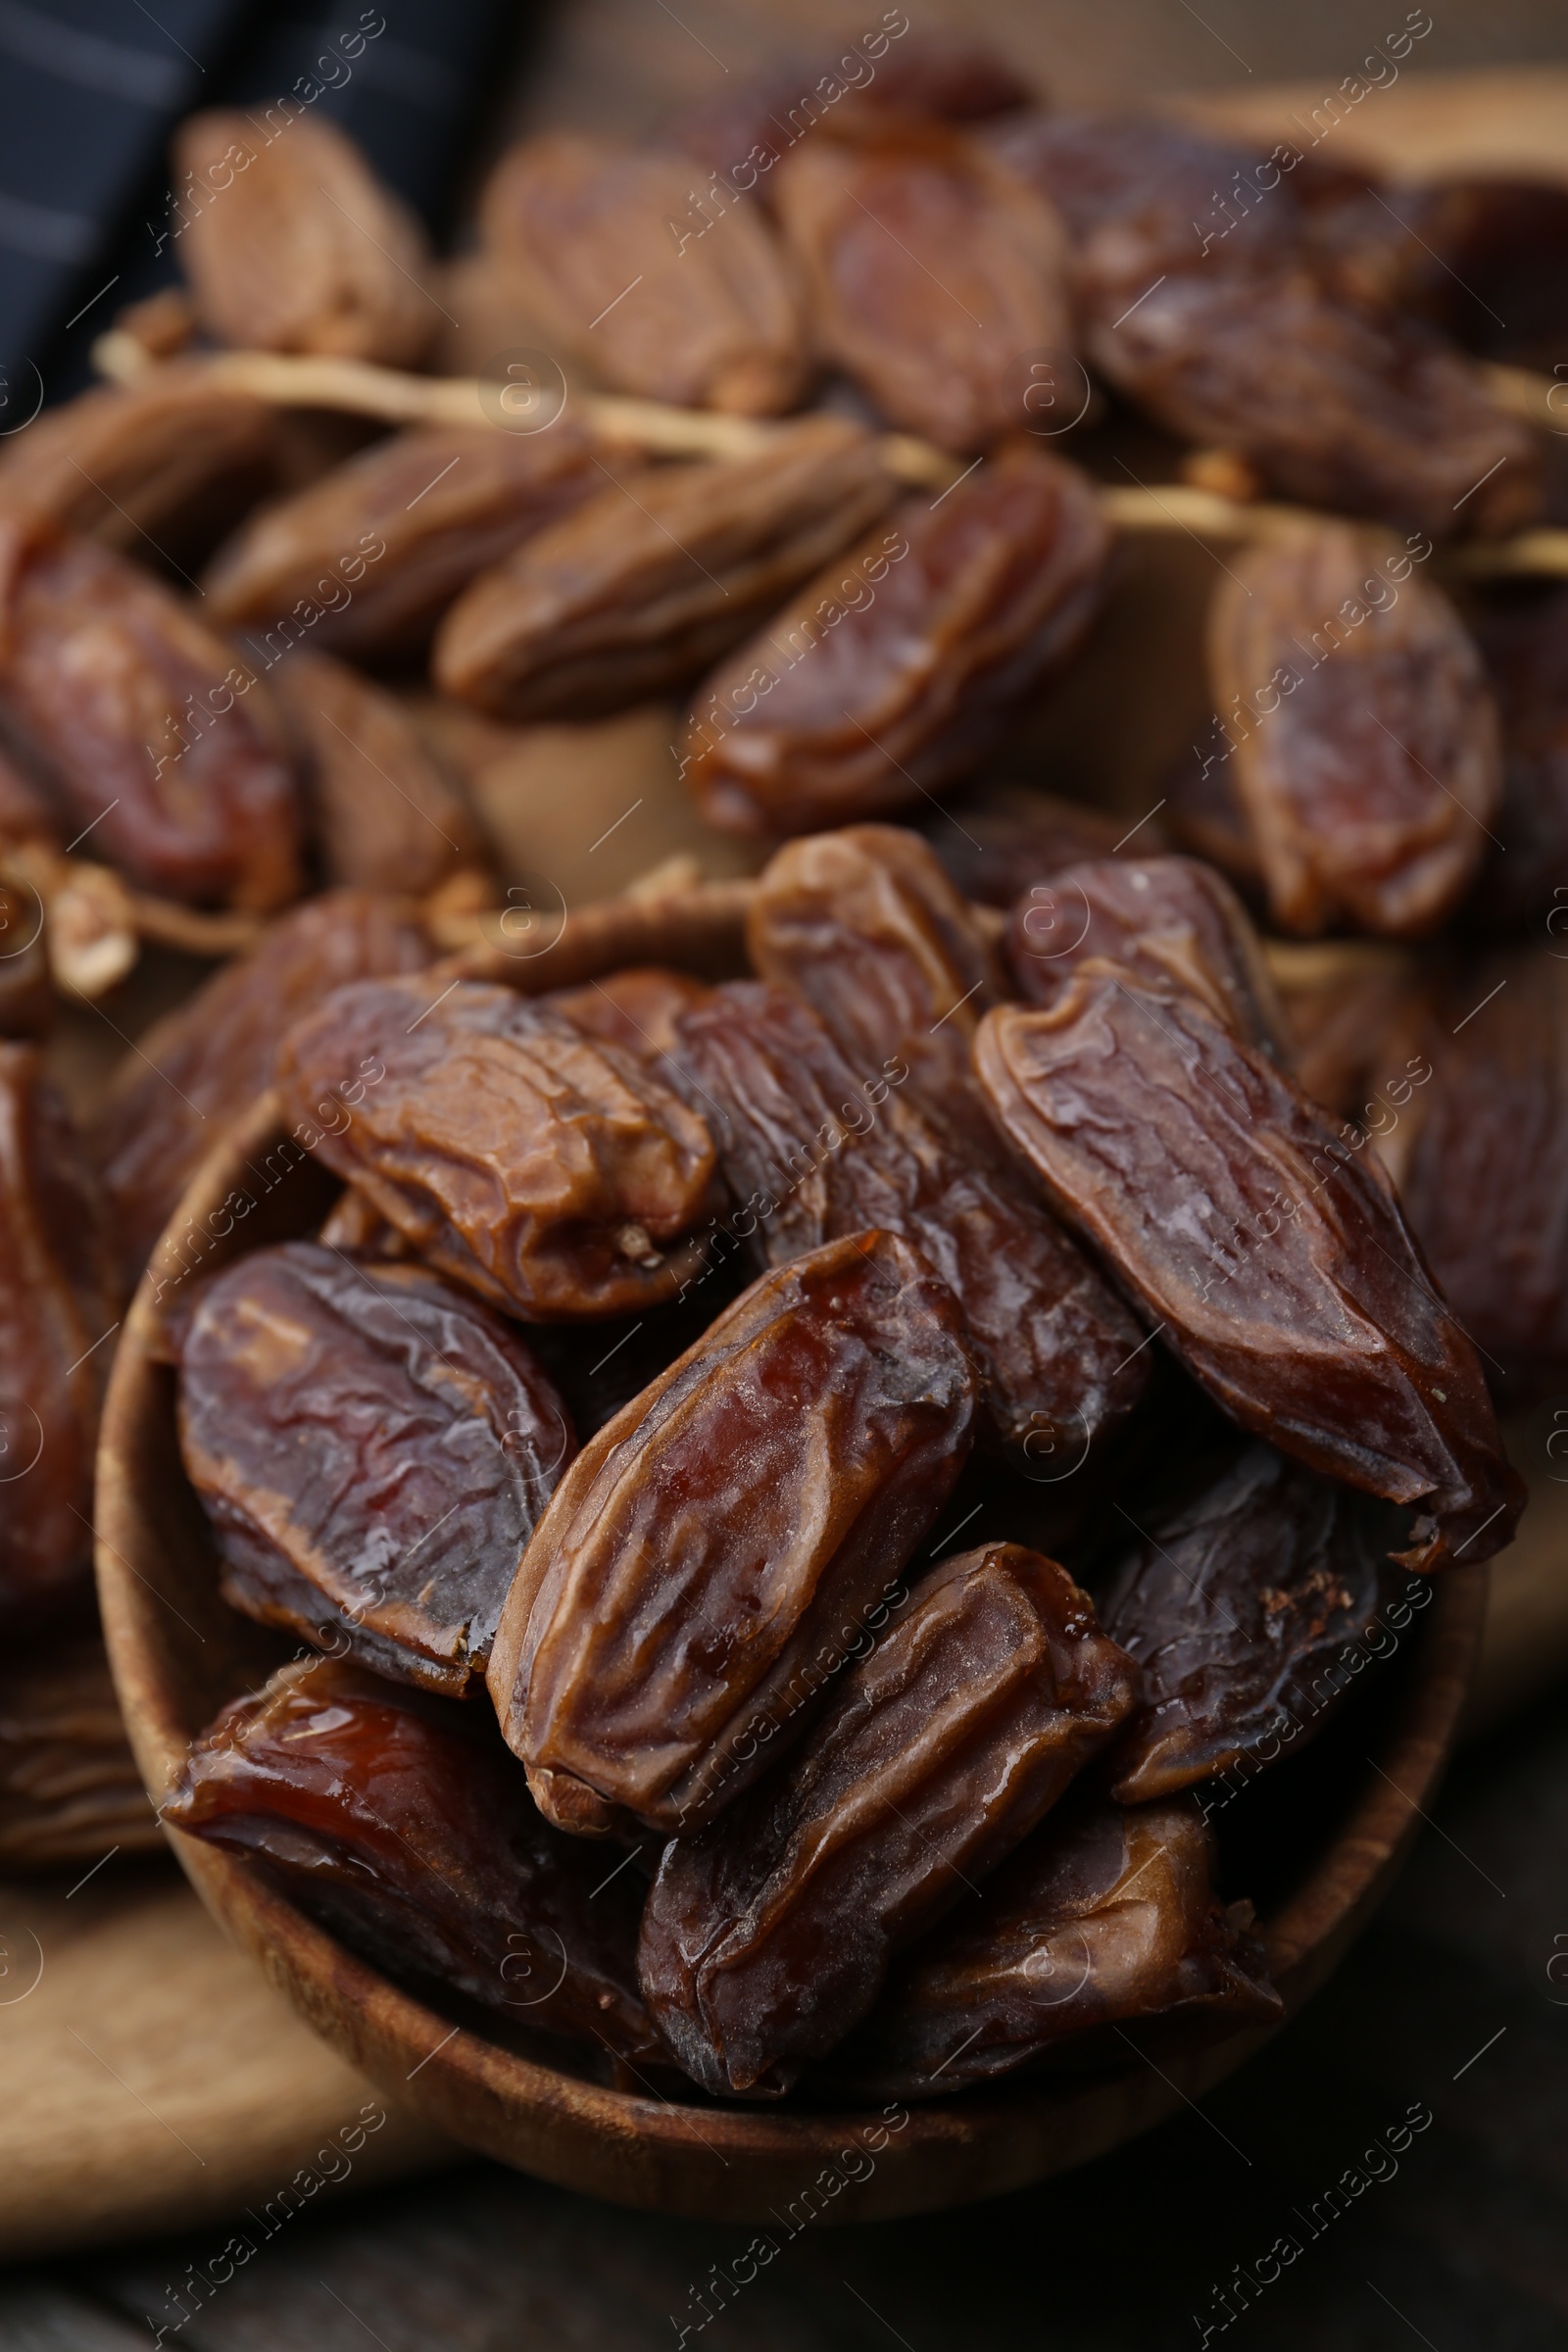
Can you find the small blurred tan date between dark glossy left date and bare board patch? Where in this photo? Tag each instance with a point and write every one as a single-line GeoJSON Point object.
{"type": "Point", "coordinates": [384, 813]}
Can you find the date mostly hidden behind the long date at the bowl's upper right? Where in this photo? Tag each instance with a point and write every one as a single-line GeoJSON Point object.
{"type": "Point", "coordinates": [1174, 923]}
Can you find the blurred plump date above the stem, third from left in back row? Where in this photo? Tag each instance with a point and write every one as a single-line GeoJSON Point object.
{"type": "Point", "coordinates": [932, 276]}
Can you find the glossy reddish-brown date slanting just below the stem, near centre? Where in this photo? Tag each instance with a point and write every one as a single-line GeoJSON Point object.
{"type": "Point", "coordinates": [906, 660]}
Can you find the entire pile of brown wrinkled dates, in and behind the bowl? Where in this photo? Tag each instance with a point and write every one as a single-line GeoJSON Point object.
{"type": "Point", "coordinates": [798, 1499]}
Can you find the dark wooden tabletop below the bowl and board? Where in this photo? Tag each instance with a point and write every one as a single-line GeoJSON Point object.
{"type": "Point", "coordinates": [1456, 2003]}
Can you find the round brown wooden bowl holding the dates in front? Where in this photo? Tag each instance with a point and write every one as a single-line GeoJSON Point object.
{"type": "Point", "coordinates": [180, 1655]}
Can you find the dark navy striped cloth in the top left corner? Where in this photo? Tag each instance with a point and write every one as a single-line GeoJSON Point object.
{"type": "Point", "coordinates": [93, 88]}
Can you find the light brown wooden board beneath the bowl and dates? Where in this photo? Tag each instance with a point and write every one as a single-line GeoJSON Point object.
{"type": "Point", "coordinates": [149, 2078]}
